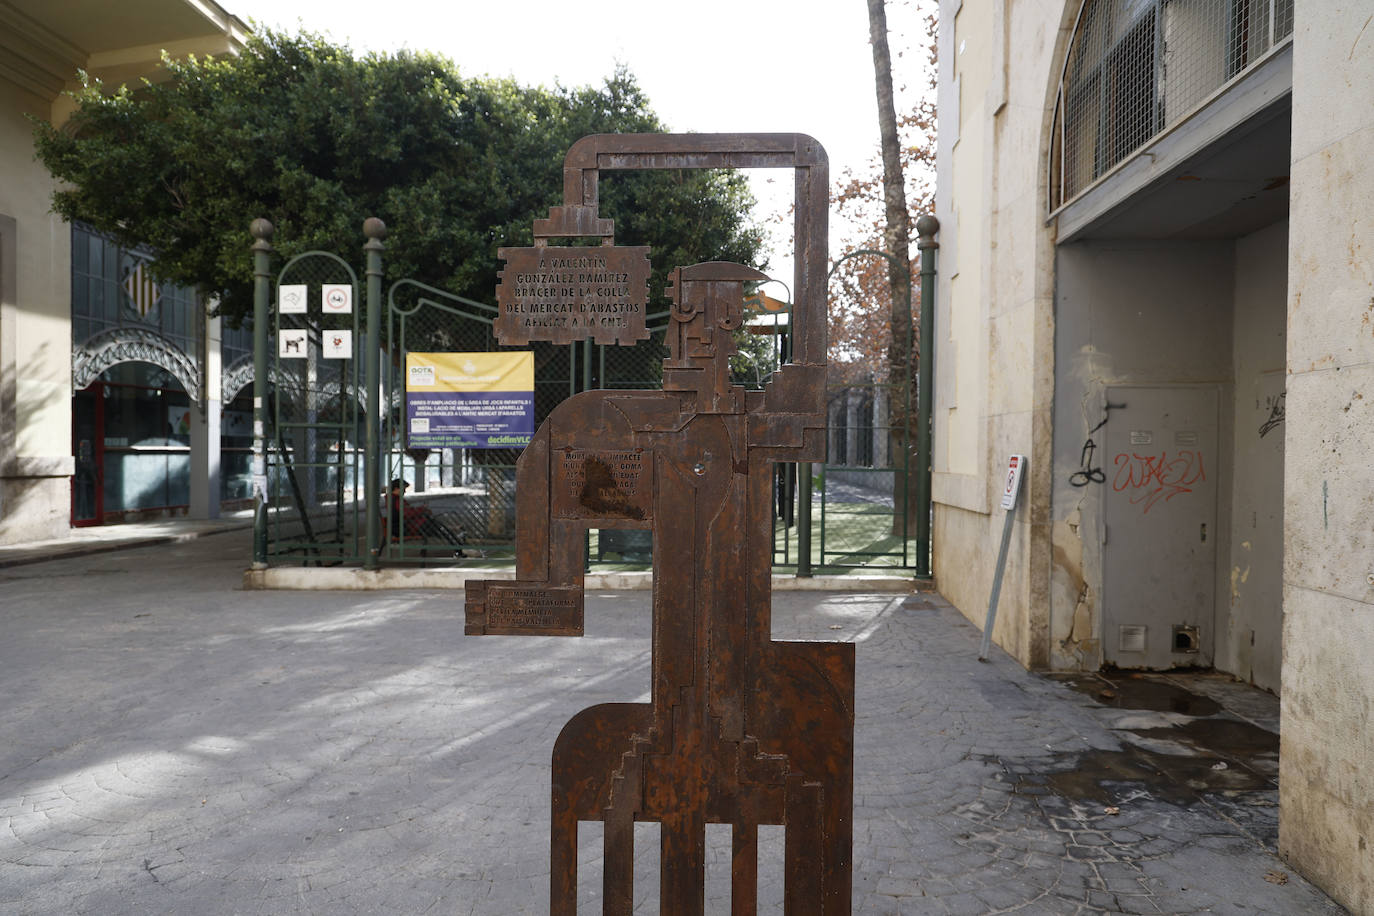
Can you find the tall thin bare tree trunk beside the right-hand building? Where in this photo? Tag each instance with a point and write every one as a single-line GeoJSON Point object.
{"type": "Point", "coordinates": [897, 240]}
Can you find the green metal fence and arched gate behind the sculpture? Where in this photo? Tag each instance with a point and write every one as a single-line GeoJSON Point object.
{"type": "Point", "coordinates": [315, 433]}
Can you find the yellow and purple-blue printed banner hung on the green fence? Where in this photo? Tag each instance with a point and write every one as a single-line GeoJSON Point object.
{"type": "Point", "coordinates": [469, 400]}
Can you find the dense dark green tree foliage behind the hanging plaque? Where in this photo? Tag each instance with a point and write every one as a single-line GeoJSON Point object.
{"type": "Point", "coordinates": [317, 139]}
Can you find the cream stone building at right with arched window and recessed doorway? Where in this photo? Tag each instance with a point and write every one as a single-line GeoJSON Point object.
{"type": "Point", "coordinates": [1153, 282]}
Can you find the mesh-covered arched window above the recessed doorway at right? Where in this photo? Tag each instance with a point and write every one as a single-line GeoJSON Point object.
{"type": "Point", "coordinates": [1137, 68]}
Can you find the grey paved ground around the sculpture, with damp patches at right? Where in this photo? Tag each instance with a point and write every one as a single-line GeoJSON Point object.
{"type": "Point", "coordinates": [172, 745]}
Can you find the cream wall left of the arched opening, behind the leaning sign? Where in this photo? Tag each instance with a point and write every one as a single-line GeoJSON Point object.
{"type": "Point", "coordinates": [994, 311]}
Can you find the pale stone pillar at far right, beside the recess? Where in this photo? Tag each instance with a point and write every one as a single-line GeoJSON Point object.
{"type": "Point", "coordinates": [1327, 782]}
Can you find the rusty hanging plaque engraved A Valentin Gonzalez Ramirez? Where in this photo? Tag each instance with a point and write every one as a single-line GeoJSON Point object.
{"type": "Point", "coordinates": [574, 295]}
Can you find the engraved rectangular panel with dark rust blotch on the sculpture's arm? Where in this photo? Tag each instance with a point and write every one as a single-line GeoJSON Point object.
{"type": "Point", "coordinates": [613, 484]}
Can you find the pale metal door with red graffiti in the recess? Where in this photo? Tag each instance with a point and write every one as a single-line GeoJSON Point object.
{"type": "Point", "coordinates": [1160, 553]}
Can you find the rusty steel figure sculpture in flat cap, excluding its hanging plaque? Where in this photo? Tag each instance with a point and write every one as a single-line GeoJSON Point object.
{"type": "Point", "coordinates": [741, 730]}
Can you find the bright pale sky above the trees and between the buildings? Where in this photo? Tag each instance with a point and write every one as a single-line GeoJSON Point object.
{"type": "Point", "coordinates": [706, 65]}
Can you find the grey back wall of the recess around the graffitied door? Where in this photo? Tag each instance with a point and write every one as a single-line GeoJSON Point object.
{"type": "Point", "coordinates": [1127, 314]}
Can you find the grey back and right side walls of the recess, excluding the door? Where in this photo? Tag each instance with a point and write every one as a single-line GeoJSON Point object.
{"type": "Point", "coordinates": [1192, 314]}
